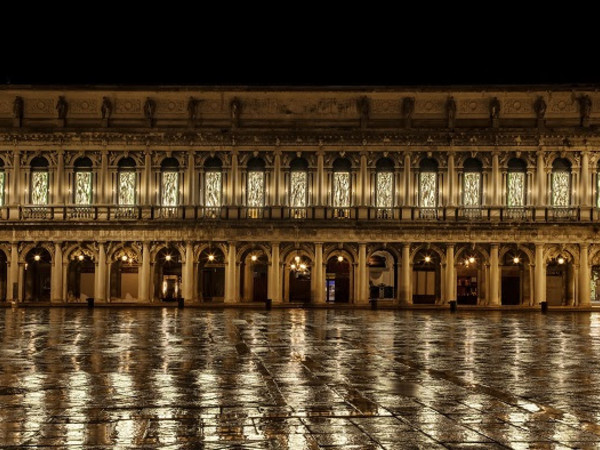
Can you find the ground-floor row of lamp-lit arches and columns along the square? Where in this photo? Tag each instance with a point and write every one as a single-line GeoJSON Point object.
{"type": "Point", "coordinates": [301, 272]}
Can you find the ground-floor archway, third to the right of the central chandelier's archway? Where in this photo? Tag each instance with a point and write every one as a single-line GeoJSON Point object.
{"type": "Point", "coordinates": [426, 279]}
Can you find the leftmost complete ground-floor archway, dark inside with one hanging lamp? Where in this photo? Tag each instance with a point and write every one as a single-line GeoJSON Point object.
{"type": "Point", "coordinates": [38, 271]}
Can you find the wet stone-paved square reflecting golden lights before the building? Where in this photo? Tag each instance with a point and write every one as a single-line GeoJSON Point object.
{"type": "Point", "coordinates": [168, 378]}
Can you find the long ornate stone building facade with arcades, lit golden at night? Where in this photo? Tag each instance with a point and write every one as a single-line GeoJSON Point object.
{"type": "Point", "coordinates": [412, 196]}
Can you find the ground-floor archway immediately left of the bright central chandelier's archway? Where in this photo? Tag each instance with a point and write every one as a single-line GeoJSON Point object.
{"type": "Point", "coordinates": [254, 276]}
